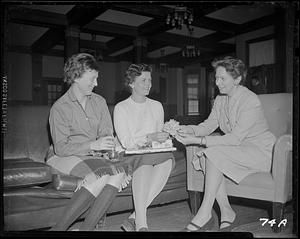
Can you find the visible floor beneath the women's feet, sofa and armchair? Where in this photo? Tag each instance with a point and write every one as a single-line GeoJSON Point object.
{"type": "Point", "coordinates": [174, 217]}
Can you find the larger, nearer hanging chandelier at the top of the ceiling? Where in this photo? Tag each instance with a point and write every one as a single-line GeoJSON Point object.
{"type": "Point", "coordinates": [180, 16]}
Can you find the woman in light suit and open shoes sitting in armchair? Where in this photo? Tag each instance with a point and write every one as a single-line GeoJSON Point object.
{"type": "Point", "coordinates": [244, 148]}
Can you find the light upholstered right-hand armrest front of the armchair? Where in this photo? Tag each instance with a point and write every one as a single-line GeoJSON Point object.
{"type": "Point", "coordinates": [282, 168]}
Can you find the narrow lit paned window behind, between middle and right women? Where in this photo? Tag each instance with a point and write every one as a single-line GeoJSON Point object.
{"type": "Point", "coordinates": [193, 94]}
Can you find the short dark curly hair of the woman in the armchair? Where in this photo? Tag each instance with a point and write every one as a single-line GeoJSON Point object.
{"type": "Point", "coordinates": [234, 66]}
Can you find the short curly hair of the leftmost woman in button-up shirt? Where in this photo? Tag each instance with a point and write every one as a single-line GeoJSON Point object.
{"type": "Point", "coordinates": [77, 64]}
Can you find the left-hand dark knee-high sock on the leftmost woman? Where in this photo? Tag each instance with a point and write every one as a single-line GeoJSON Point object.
{"type": "Point", "coordinates": [80, 202]}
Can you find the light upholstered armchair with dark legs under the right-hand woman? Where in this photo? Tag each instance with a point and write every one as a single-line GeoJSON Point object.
{"type": "Point", "coordinates": [274, 186]}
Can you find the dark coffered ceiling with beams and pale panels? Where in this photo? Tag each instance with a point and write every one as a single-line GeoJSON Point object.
{"type": "Point", "coordinates": [41, 28]}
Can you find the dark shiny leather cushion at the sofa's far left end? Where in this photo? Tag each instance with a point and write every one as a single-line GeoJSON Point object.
{"type": "Point", "coordinates": [24, 172]}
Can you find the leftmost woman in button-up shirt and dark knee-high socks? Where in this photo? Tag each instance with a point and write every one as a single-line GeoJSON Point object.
{"type": "Point", "coordinates": [80, 124]}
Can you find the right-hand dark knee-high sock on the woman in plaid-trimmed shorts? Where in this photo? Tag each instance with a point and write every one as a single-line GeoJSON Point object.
{"type": "Point", "coordinates": [100, 206]}
